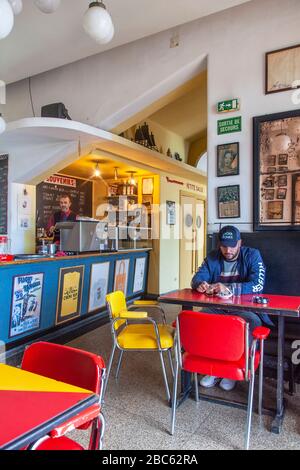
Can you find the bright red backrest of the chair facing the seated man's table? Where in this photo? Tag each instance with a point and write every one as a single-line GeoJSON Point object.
{"type": "Point", "coordinates": [220, 337]}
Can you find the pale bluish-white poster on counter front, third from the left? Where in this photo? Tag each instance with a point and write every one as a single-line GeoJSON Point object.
{"type": "Point", "coordinates": [98, 286]}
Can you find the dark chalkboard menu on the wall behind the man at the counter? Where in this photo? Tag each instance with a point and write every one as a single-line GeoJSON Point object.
{"type": "Point", "coordinates": [49, 192]}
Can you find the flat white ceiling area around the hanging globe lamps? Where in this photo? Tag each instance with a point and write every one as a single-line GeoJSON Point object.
{"type": "Point", "coordinates": [41, 42]}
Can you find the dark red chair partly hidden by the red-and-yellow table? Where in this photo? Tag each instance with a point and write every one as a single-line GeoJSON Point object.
{"type": "Point", "coordinates": [75, 367]}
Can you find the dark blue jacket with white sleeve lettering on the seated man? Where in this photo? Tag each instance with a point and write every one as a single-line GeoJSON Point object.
{"type": "Point", "coordinates": [251, 269]}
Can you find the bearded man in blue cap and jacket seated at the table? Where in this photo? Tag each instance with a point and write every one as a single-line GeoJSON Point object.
{"type": "Point", "coordinates": [231, 263]}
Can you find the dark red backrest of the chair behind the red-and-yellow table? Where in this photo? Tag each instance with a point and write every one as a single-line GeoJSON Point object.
{"type": "Point", "coordinates": [65, 364]}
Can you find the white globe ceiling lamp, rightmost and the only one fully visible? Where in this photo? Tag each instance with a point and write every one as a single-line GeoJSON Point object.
{"type": "Point", "coordinates": [98, 24]}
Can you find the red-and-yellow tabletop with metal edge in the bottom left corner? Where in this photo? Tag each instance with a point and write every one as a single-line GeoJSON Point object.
{"type": "Point", "coordinates": [32, 405]}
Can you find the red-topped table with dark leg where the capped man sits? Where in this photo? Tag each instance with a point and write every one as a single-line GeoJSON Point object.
{"type": "Point", "coordinates": [278, 305]}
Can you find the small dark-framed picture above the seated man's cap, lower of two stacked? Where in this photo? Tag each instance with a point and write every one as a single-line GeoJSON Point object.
{"type": "Point", "coordinates": [229, 202]}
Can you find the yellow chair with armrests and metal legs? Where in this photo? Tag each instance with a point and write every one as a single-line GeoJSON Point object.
{"type": "Point", "coordinates": [136, 331]}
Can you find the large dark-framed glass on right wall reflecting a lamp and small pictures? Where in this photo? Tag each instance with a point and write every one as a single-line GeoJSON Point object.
{"type": "Point", "coordinates": [276, 135]}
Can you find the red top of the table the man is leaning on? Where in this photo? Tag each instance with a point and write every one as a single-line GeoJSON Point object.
{"type": "Point", "coordinates": [286, 305]}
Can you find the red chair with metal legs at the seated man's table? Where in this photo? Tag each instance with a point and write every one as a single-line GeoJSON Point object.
{"type": "Point", "coordinates": [218, 345]}
